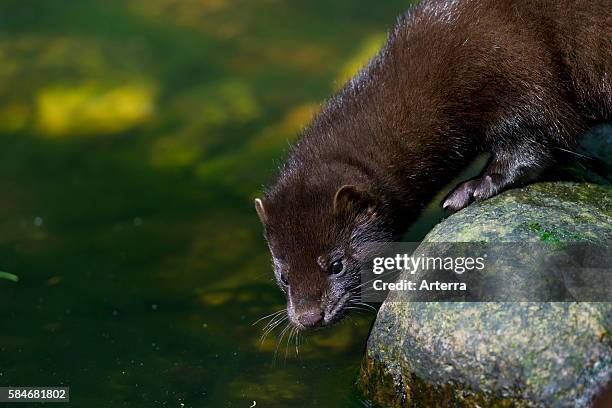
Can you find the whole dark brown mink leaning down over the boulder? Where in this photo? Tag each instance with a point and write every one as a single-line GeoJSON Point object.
{"type": "Point", "coordinates": [456, 78]}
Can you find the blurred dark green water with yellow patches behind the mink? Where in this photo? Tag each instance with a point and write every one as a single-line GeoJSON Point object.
{"type": "Point", "coordinates": [134, 136]}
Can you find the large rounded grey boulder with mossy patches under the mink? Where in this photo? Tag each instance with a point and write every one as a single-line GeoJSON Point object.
{"type": "Point", "coordinates": [530, 354]}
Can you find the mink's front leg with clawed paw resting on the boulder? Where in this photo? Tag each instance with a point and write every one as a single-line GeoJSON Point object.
{"type": "Point", "coordinates": [506, 169]}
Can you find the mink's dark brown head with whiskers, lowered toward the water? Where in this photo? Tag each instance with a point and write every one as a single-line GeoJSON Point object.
{"type": "Point", "coordinates": [317, 236]}
